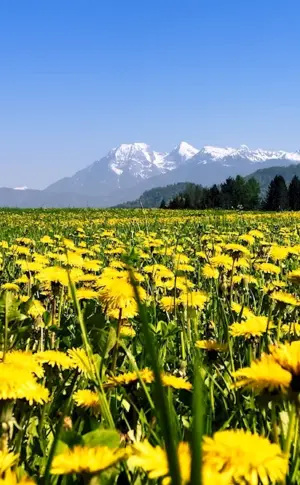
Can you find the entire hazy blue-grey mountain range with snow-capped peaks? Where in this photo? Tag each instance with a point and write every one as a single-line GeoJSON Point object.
{"type": "Point", "coordinates": [130, 169]}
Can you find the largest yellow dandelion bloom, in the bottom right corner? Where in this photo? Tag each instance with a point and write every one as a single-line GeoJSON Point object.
{"type": "Point", "coordinates": [248, 458]}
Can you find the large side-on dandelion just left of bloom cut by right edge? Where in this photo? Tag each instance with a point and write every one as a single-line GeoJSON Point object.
{"type": "Point", "coordinates": [264, 374]}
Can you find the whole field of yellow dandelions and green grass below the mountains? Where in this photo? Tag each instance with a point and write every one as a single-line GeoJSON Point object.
{"type": "Point", "coordinates": [149, 347]}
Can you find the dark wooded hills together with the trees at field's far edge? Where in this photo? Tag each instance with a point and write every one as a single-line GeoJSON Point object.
{"type": "Point", "coordinates": [257, 191]}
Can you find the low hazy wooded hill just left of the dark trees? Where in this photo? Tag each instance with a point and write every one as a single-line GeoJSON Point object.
{"type": "Point", "coordinates": [153, 197]}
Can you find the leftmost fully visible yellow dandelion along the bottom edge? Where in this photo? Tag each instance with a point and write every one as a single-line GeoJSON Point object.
{"type": "Point", "coordinates": [82, 459]}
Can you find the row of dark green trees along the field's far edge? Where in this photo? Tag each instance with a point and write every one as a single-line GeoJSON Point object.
{"type": "Point", "coordinates": [239, 193]}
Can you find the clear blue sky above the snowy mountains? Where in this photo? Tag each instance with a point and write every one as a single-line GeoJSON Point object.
{"type": "Point", "coordinates": [79, 77]}
